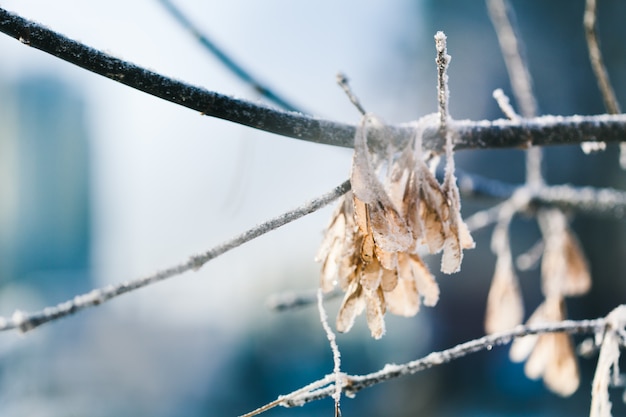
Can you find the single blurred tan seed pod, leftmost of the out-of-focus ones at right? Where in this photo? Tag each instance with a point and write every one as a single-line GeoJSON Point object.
{"type": "Point", "coordinates": [505, 308]}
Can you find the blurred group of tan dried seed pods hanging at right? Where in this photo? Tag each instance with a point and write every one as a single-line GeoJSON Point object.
{"type": "Point", "coordinates": [564, 273]}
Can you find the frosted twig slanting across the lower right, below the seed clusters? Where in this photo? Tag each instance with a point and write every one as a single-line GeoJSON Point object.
{"type": "Point", "coordinates": [355, 383]}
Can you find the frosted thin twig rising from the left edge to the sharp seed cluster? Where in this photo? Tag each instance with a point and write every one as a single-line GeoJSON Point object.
{"type": "Point", "coordinates": [28, 321]}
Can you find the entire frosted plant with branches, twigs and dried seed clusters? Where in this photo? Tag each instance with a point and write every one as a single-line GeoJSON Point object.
{"type": "Point", "coordinates": [397, 208]}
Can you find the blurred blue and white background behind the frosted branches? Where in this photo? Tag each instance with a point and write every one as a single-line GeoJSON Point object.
{"type": "Point", "coordinates": [100, 183]}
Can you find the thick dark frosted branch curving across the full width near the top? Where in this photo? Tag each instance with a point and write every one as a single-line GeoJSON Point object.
{"type": "Point", "coordinates": [547, 130]}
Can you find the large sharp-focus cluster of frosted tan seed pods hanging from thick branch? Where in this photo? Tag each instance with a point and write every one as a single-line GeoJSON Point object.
{"type": "Point", "coordinates": [396, 208]}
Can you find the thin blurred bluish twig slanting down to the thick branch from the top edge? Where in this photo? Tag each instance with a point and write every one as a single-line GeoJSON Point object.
{"type": "Point", "coordinates": [225, 59]}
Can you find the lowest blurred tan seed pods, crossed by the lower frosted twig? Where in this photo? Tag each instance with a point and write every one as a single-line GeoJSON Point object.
{"type": "Point", "coordinates": [550, 355]}
